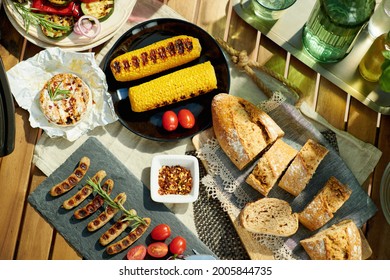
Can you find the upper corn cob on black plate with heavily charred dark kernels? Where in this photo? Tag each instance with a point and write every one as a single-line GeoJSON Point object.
{"type": "Point", "coordinates": [155, 58]}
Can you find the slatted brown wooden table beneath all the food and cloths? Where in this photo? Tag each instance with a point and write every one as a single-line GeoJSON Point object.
{"type": "Point", "coordinates": [24, 234]}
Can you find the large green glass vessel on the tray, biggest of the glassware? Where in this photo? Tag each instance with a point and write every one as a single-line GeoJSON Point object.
{"type": "Point", "coordinates": [333, 26]}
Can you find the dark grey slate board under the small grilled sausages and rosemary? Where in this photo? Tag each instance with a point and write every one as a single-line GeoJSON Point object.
{"type": "Point", "coordinates": [138, 197]}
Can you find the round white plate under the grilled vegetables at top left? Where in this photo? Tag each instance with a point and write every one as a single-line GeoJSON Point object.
{"type": "Point", "coordinates": [73, 42]}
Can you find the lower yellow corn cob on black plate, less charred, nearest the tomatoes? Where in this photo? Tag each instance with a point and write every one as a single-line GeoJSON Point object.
{"type": "Point", "coordinates": [174, 87]}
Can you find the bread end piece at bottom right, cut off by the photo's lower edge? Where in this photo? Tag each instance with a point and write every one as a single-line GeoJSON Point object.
{"type": "Point", "coordinates": [341, 241]}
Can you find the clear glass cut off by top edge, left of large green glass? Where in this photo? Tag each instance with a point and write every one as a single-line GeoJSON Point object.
{"type": "Point", "coordinates": [271, 9]}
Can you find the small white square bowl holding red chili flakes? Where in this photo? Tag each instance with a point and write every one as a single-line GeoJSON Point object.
{"type": "Point", "coordinates": [186, 161]}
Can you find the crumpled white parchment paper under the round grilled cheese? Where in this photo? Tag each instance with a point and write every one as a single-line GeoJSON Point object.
{"type": "Point", "coordinates": [28, 77]}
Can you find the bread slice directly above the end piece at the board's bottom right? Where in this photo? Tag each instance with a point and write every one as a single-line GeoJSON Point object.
{"type": "Point", "coordinates": [328, 200]}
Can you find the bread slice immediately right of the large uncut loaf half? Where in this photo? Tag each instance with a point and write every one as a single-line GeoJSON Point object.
{"type": "Point", "coordinates": [271, 166]}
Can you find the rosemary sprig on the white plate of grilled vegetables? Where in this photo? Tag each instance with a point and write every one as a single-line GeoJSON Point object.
{"type": "Point", "coordinates": [31, 18]}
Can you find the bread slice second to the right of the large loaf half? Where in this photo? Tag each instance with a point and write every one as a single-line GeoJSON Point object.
{"type": "Point", "coordinates": [303, 167]}
